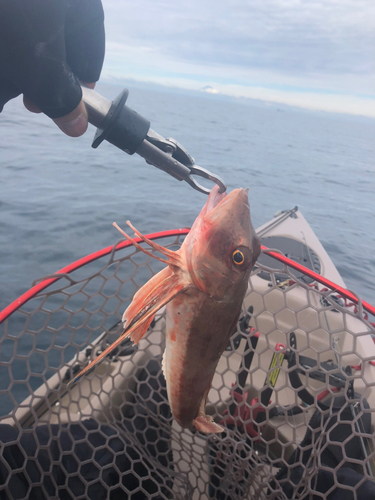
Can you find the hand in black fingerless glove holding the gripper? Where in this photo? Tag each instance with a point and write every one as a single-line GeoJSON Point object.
{"type": "Point", "coordinates": [46, 47]}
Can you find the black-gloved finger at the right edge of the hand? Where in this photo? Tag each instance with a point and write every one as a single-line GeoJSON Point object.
{"type": "Point", "coordinates": [85, 38]}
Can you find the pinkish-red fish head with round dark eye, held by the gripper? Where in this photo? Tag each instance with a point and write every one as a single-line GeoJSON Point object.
{"type": "Point", "coordinates": [222, 246]}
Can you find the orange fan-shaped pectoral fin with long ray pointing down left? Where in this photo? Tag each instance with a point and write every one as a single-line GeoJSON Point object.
{"type": "Point", "coordinates": [155, 294]}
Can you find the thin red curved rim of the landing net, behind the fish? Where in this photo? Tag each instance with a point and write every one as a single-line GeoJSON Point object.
{"type": "Point", "coordinates": [42, 285]}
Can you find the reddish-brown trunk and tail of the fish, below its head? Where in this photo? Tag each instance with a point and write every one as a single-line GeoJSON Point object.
{"type": "Point", "coordinates": [194, 345]}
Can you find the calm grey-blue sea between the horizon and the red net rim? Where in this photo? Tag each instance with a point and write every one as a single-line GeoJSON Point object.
{"type": "Point", "coordinates": [59, 197]}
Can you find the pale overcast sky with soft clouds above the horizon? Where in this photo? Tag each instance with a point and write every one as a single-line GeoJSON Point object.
{"type": "Point", "coordinates": [318, 54]}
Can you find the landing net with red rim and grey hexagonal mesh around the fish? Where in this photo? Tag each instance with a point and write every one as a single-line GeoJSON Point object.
{"type": "Point", "coordinates": [295, 391]}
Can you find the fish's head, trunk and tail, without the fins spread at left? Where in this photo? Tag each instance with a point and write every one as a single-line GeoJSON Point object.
{"type": "Point", "coordinates": [201, 319]}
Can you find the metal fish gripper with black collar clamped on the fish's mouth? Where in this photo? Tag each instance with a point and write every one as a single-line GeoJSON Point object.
{"type": "Point", "coordinates": [130, 132]}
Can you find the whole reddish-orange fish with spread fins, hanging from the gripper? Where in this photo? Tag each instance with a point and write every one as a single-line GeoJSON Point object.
{"type": "Point", "coordinates": [202, 287]}
